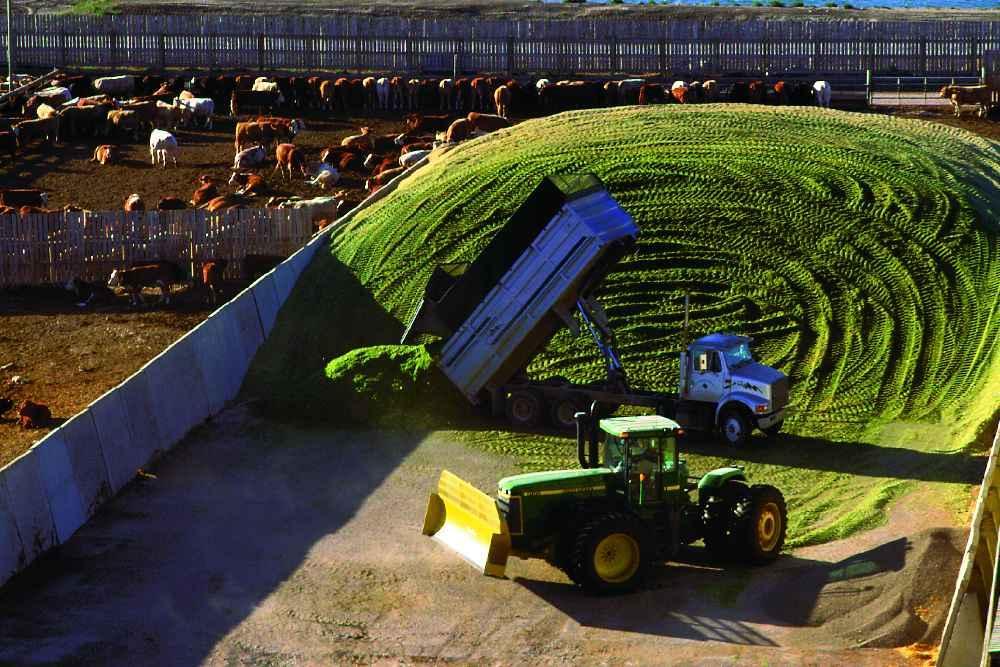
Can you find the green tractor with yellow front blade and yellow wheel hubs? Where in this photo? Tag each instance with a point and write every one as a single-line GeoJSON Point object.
{"type": "Point", "coordinates": [607, 522]}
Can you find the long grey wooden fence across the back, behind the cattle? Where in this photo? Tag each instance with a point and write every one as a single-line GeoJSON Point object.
{"type": "Point", "coordinates": [536, 46]}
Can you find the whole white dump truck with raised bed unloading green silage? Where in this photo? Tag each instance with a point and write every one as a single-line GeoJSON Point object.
{"type": "Point", "coordinates": [539, 274]}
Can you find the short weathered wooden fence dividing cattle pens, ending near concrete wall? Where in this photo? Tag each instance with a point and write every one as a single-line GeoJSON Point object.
{"type": "Point", "coordinates": [55, 247]}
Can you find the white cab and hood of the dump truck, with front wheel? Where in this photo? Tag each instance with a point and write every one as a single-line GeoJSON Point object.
{"type": "Point", "coordinates": [719, 374]}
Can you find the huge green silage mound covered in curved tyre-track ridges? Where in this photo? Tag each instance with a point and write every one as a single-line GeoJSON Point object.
{"type": "Point", "coordinates": [861, 252]}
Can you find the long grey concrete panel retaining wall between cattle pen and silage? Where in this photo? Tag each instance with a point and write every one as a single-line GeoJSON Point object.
{"type": "Point", "coordinates": [58, 484]}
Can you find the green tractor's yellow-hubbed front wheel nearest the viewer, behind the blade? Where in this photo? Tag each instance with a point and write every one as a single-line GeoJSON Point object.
{"type": "Point", "coordinates": [611, 554]}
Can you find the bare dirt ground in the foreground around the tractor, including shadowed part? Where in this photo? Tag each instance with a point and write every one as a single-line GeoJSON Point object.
{"type": "Point", "coordinates": [255, 543]}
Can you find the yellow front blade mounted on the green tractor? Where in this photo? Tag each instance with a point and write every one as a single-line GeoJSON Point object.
{"type": "Point", "coordinates": [466, 520]}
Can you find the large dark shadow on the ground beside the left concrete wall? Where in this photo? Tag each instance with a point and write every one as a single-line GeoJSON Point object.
{"type": "Point", "coordinates": [187, 552]}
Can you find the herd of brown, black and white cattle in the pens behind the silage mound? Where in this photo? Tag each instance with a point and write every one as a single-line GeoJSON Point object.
{"type": "Point", "coordinates": [438, 111]}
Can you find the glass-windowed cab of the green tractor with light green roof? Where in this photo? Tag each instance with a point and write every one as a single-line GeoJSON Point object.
{"type": "Point", "coordinates": [643, 451]}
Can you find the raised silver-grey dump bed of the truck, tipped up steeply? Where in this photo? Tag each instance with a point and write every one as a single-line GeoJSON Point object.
{"type": "Point", "coordinates": [536, 296]}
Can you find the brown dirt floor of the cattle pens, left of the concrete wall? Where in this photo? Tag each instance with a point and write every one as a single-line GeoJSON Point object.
{"type": "Point", "coordinates": [69, 355]}
